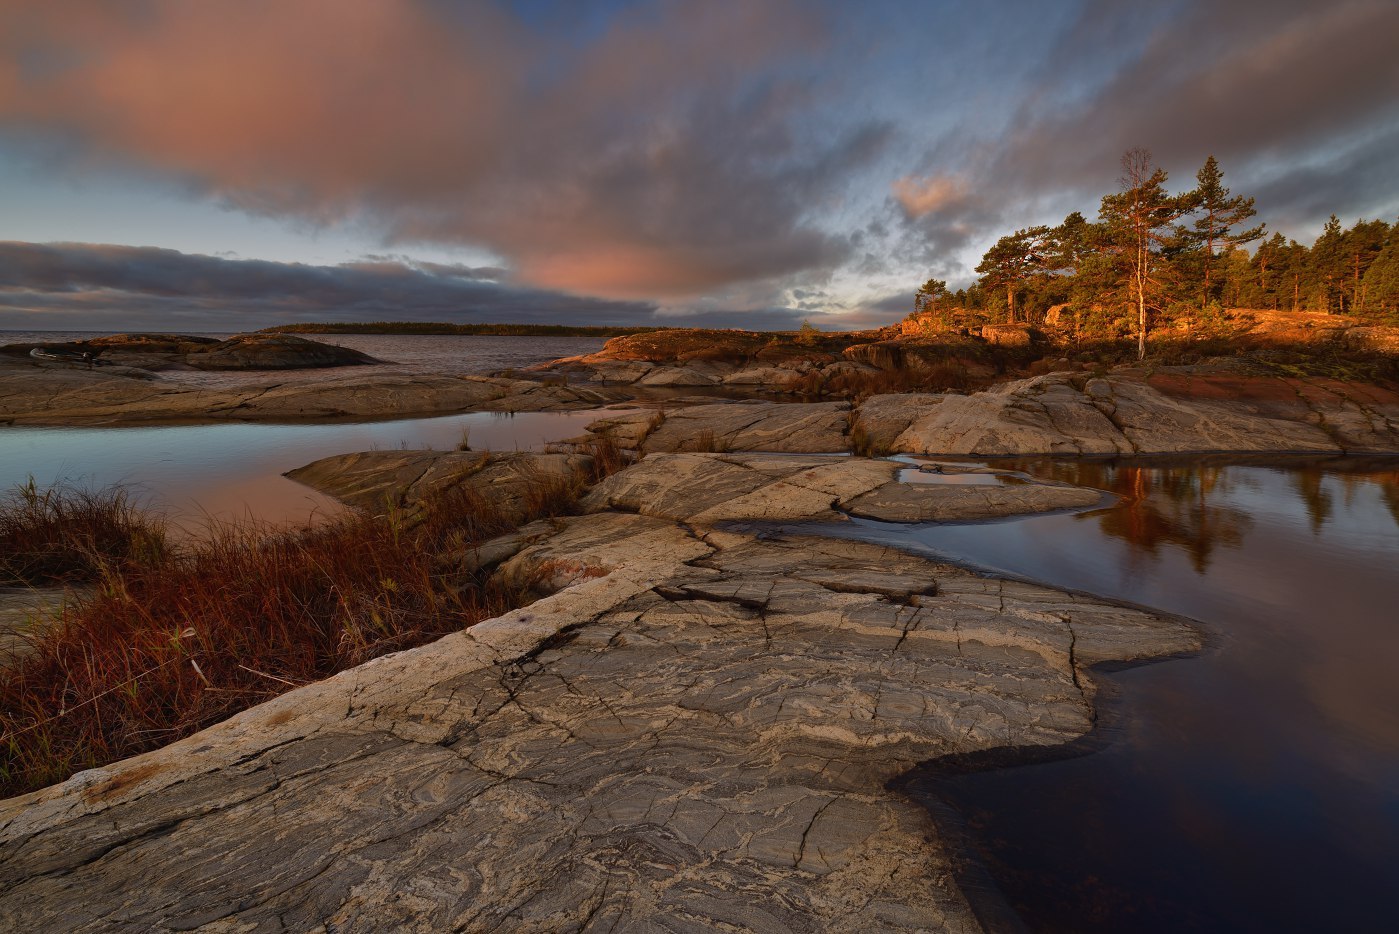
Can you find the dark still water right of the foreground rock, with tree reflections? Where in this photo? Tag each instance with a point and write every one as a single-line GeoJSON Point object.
{"type": "Point", "coordinates": [1254, 788]}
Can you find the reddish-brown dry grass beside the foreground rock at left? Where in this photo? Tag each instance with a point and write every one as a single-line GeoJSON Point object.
{"type": "Point", "coordinates": [174, 644]}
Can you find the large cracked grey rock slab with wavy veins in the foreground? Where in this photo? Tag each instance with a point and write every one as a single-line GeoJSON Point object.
{"type": "Point", "coordinates": [692, 733]}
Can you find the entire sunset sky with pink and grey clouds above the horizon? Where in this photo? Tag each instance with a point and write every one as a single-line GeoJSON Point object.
{"type": "Point", "coordinates": [233, 164]}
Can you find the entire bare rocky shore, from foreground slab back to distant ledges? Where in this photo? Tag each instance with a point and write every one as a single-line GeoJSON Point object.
{"type": "Point", "coordinates": [696, 725]}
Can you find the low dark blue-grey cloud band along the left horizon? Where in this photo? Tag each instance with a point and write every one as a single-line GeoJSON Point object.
{"type": "Point", "coordinates": [106, 287]}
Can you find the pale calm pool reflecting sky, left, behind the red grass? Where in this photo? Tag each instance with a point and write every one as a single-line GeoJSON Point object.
{"type": "Point", "coordinates": [234, 470]}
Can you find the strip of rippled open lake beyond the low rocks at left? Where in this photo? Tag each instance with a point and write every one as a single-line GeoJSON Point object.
{"type": "Point", "coordinates": [447, 354]}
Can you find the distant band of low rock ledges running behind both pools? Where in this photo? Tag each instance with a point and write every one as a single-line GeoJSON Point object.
{"type": "Point", "coordinates": [1119, 412]}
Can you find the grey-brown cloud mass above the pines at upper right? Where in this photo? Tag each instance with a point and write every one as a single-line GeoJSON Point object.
{"type": "Point", "coordinates": [1300, 104]}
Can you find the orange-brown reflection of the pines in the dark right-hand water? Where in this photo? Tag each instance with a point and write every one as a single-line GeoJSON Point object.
{"type": "Point", "coordinates": [1183, 504]}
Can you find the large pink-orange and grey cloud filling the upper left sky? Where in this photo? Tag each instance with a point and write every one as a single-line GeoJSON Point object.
{"type": "Point", "coordinates": [660, 159]}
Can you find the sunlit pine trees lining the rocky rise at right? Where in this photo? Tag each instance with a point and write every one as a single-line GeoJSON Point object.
{"type": "Point", "coordinates": [1159, 259]}
